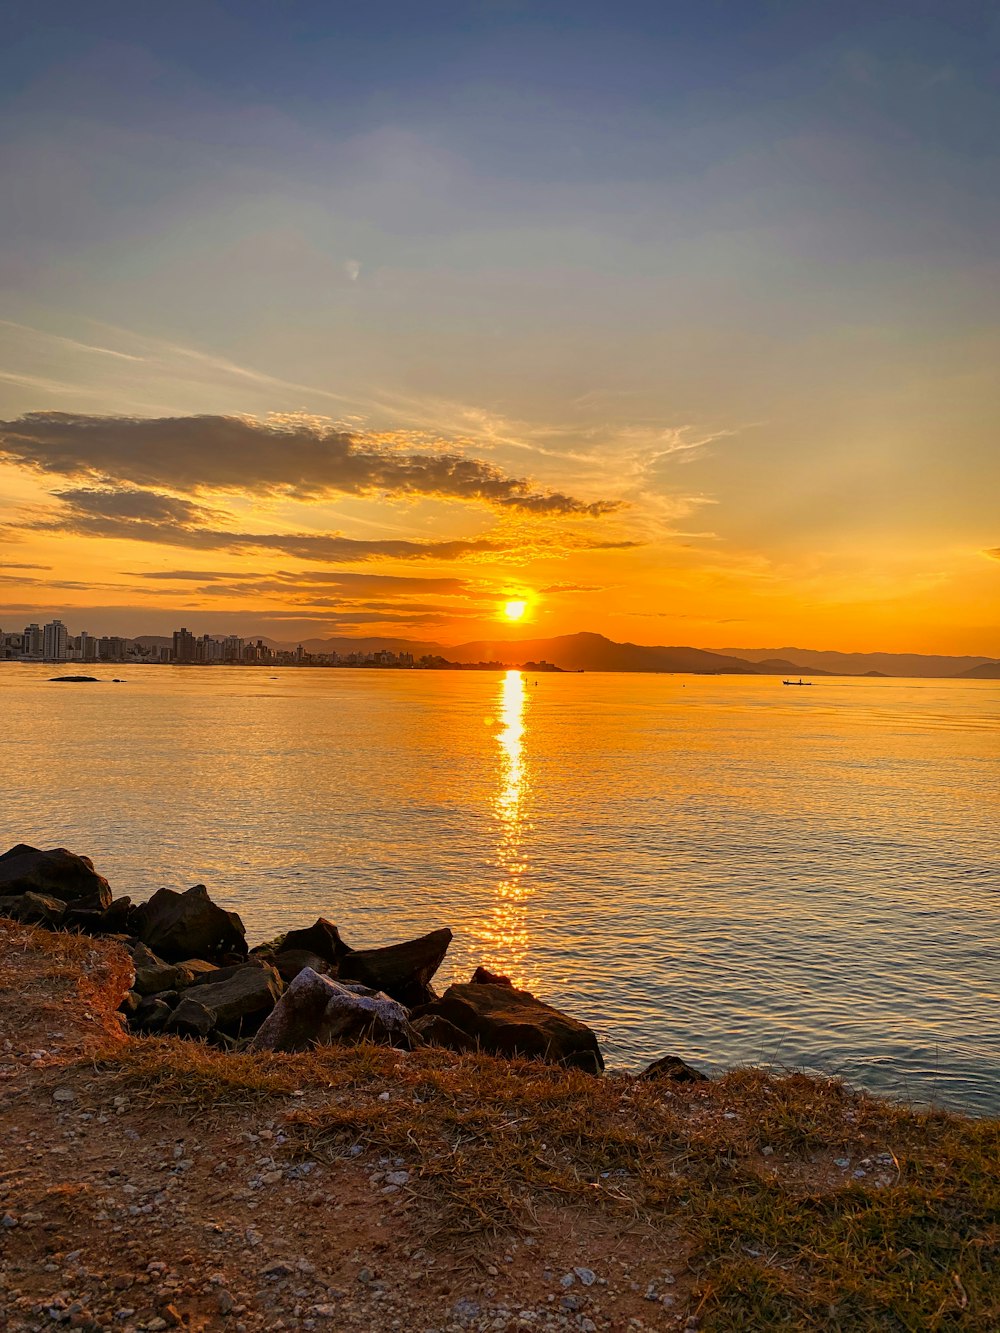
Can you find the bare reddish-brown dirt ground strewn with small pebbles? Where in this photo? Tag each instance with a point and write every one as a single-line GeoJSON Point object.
{"type": "Point", "coordinates": [121, 1214]}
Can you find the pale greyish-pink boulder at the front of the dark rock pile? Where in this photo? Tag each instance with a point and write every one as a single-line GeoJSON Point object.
{"type": "Point", "coordinates": [319, 1011]}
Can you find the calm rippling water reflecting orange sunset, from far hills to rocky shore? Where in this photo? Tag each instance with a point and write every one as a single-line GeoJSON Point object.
{"type": "Point", "coordinates": [717, 867]}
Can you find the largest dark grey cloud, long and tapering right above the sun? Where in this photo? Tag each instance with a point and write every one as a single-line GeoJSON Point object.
{"type": "Point", "coordinates": [293, 457]}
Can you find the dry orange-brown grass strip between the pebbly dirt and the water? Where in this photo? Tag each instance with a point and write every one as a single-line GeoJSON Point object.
{"type": "Point", "coordinates": [779, 1240]}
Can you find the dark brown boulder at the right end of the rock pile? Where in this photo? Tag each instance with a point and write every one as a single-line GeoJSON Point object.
{"type": "Point", "coordinates": [507, 1022]}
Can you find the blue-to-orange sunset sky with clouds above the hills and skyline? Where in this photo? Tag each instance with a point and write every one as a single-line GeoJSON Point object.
{"type": "Point", "coordinates": [674, 322]}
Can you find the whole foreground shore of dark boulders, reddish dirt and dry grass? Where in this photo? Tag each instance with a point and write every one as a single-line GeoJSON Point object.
{"type": "Point", "coordinates": [203, 1136]}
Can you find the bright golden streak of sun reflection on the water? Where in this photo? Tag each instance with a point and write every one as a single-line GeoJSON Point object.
{"type": "Point", "coordinates": [507, 934]}
